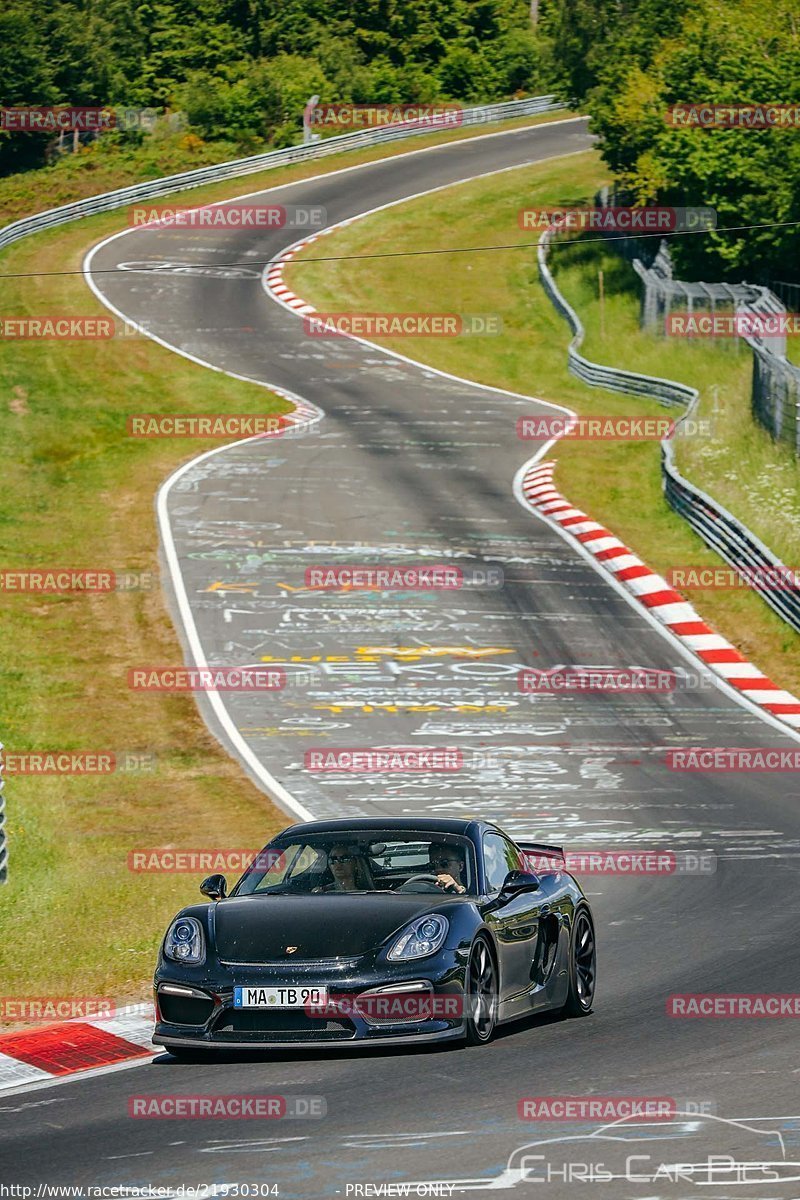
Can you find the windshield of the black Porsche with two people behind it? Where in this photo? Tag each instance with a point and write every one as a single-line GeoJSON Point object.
{"type": "Point", "coordinates": [341, 861]}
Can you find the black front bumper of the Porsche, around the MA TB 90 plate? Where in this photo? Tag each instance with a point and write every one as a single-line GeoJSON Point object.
{"type": "Point", "coordinates": [199, 1013]}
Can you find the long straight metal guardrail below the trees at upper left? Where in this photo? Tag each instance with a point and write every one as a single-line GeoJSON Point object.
{"type": "Point", "coordinates": [482, 115]}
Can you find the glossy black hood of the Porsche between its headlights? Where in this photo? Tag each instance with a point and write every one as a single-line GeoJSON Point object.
{"type": "Point", "coordinates": [254, 929]}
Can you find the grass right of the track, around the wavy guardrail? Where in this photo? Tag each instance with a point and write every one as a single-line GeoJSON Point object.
{"type": "Point", "coordinates": [618, 483]}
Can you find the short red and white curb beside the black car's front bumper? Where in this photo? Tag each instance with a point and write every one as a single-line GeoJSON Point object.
{"type": "Point", "coordinates": [52, 1052]}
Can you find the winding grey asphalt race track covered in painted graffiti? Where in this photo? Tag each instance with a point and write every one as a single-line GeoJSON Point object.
{"type": "Point", "coordinates": [411, 466]}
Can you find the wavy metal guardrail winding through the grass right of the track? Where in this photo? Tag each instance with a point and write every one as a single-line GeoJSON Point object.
{"type": "Point", "coordinates": [714, 524]}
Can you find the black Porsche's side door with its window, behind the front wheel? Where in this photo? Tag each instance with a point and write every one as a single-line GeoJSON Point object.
{"type": "Point", "coordinates": [515, 925]}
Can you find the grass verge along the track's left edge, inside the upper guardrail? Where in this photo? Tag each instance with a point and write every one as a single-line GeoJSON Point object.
{"type": "Point", "coordinates": [76, 493]}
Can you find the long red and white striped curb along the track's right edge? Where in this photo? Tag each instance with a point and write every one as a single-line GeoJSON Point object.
{"type": "Point", "coordinates": [663, 602]}
